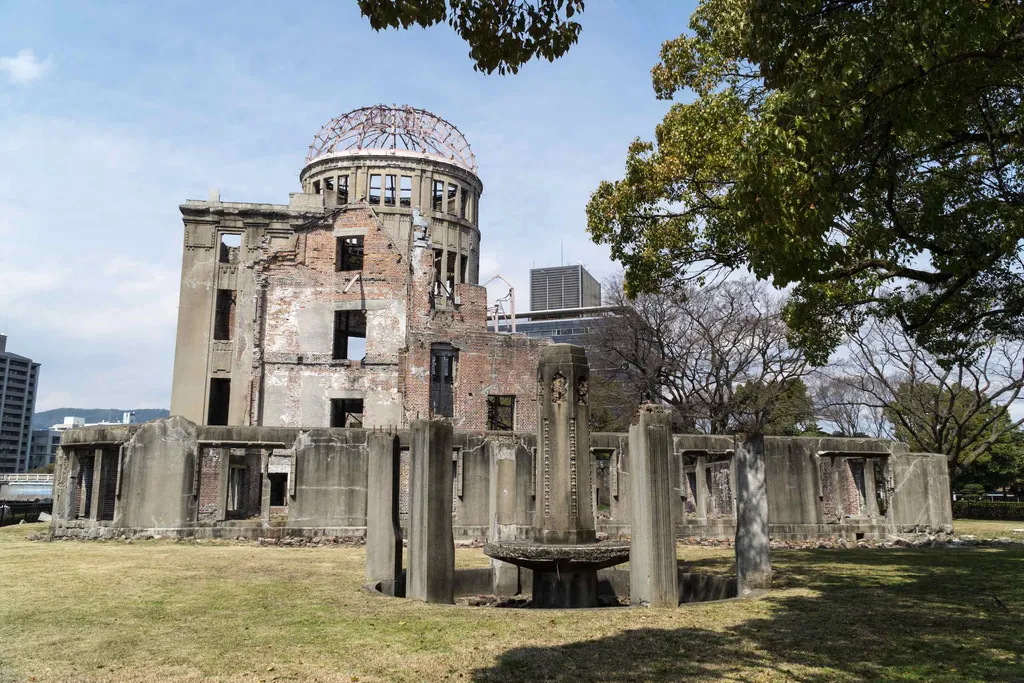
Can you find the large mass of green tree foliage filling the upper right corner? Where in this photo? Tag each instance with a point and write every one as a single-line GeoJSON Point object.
{"type": "Point", "coordinates": [870, 154]}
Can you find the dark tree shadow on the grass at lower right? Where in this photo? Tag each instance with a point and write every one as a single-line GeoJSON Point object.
{"type": "Point", "coordinates": [917, 615]}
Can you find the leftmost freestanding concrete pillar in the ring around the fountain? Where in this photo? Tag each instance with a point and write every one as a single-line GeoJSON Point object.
{"type": "Point", "coordinates": [383, 528]}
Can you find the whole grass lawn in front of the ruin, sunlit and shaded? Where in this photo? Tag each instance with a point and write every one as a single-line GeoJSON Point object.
{"type": "Point", "coordinates": [160, 611]}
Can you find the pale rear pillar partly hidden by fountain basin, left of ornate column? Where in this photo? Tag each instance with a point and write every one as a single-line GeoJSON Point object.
{"type": "Point", "coordinates": [502, 452]}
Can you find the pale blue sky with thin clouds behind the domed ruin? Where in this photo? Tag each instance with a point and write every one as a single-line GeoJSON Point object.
{"type": "Point", "coordinates": [113, 114]}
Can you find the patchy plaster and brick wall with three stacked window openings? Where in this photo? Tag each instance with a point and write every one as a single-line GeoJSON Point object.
{"type": "Point", "coordinates": [304, 291]}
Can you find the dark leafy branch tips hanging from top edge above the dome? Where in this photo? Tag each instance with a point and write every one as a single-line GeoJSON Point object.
{"type": "Point", "coordinates": [502, 35]}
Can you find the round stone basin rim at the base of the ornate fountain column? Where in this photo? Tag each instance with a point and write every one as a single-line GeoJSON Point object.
{"type": "Point", "coordinates": [551, 558]}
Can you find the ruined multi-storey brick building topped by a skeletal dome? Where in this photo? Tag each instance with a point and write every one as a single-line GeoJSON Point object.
{"type": "Point", "coordinates": [358, 303]}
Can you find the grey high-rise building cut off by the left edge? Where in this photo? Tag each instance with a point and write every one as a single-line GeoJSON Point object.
{"type": "Point", "coordinates": [19, 377]}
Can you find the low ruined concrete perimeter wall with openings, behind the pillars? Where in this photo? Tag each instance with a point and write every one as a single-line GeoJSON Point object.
{"type": "Point", "coordinates": [173, 478]}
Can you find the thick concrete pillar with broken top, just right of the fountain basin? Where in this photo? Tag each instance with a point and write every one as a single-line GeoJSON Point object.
{"type": "Point", "coordinates": [654, 574]}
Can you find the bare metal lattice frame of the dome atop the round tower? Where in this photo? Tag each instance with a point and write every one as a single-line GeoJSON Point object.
{"type": "Point", "coordinates": [385, 127]}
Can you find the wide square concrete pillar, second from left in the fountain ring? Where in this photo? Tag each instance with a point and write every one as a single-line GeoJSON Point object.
{"type": "Point", "coordinates": [432, 544]}
